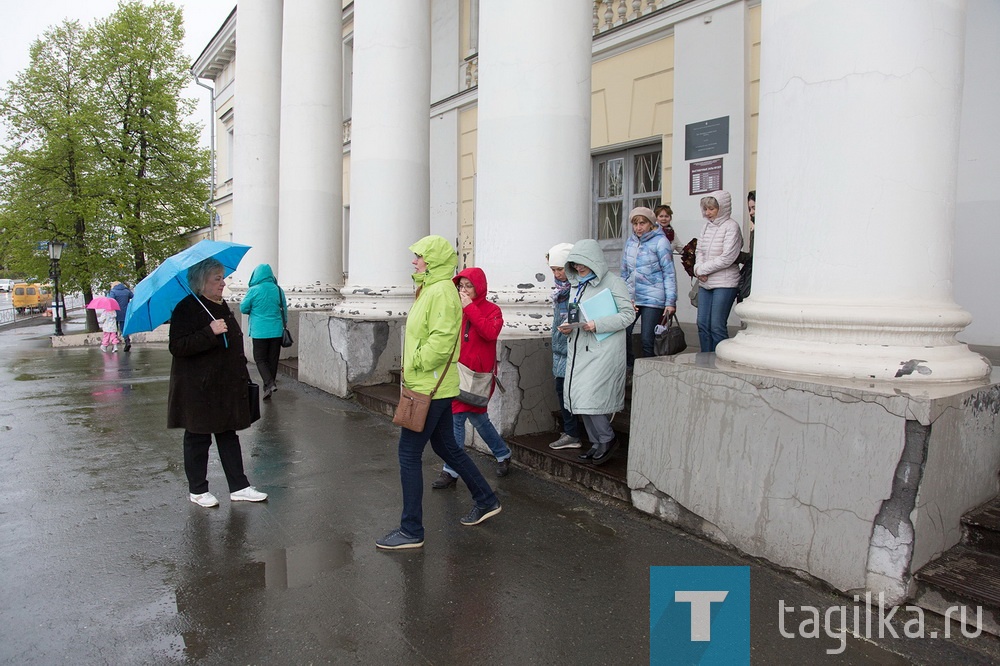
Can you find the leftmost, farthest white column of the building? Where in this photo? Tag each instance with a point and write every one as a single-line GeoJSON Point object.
{"type": "Point", "coordinates": [255, 159]}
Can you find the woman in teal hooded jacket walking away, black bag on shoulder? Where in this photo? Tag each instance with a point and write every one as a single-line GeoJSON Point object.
{"type": "Point", "coordinates": [267, 310]}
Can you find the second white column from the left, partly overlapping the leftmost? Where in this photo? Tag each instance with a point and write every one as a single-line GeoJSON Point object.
{"type": "Point", "coordinates": [310, 196]}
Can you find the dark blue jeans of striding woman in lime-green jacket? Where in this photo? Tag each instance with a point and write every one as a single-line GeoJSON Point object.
{"type": "Point", "coordinates": [441, 433]}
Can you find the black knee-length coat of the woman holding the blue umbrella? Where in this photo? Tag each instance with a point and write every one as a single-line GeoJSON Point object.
{"type": "Point", "coordinates": [208, 380]}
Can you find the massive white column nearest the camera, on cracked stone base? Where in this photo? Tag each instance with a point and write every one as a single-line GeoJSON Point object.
{"type": "Point", "coordinates": [859, 120]}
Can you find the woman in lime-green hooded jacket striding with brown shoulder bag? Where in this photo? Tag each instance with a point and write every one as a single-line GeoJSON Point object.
{"type": "Point", "coordinates": [430, 355]}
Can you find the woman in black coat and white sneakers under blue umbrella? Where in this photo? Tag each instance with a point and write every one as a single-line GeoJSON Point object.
{"type": "Point", "coordinates": [208, 384]}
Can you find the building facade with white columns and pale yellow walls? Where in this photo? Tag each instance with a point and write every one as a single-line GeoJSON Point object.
{"type": "Point", "coordinates": [353, 129]}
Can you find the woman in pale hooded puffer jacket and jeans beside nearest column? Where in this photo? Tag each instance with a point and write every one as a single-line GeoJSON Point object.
{"type": "Point", "coordinates": [716, 269]}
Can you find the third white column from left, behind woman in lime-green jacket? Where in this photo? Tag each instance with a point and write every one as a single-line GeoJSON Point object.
{"type": "Point", "coordinates": [390, 153]}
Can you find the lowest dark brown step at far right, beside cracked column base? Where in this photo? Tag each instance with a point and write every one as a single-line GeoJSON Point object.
{"type": "Point", "coordinates": [963, 576]}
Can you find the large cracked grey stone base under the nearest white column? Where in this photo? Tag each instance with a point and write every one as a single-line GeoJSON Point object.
{"type": "Point", "coordinates": [858, 484]}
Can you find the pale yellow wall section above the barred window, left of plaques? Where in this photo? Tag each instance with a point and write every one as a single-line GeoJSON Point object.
{"type": "Point", "coordinates": [632, 98]}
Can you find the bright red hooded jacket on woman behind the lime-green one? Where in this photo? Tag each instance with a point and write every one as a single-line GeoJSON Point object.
{"type": "Point", "coordinates": [481, 325]}
